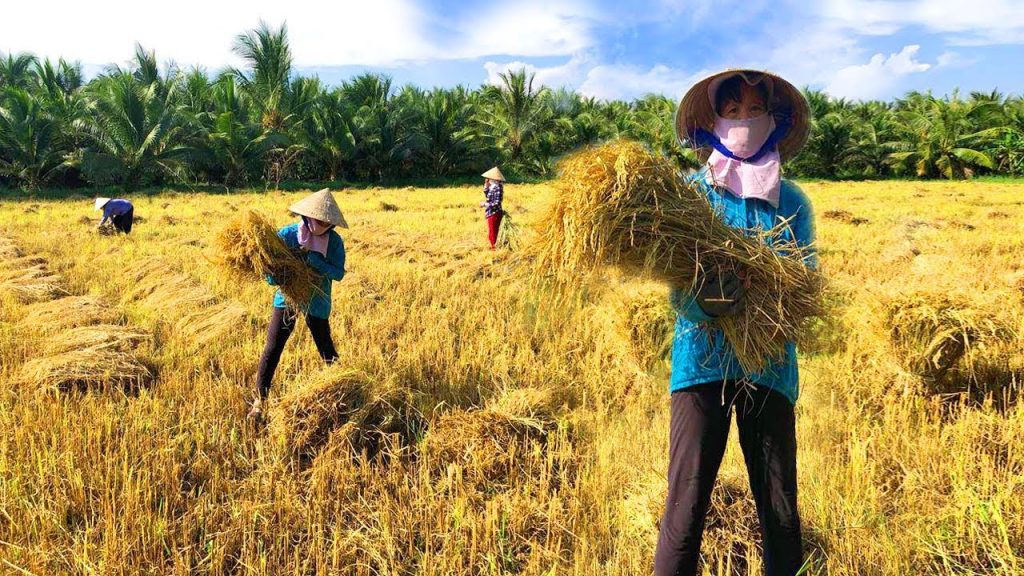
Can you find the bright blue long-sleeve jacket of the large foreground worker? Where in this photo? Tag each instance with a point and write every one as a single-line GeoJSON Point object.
{"type": "Point", "coordinates": [700, 353]}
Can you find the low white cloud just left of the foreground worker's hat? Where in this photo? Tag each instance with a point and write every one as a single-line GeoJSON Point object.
{"type": "Point", "coordinates": [628, 83]}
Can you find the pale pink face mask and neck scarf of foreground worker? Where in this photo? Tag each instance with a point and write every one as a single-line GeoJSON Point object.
{"type": "Point", "coordinates": [761, 179]}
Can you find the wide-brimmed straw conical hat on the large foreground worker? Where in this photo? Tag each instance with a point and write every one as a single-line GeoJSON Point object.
{"type": "Point", "coordinates": [697, 110]}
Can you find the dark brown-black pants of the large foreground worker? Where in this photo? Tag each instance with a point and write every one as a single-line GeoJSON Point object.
{"type": "Point", "coordinates": [700, 428]}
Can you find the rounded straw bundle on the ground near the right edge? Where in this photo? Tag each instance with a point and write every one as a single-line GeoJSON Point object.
{"type": "Point", "coordinates": [933, 334]}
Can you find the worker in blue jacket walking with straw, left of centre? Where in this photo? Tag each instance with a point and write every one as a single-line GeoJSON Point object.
{"type": "Point", "coordinates": [323, 251]}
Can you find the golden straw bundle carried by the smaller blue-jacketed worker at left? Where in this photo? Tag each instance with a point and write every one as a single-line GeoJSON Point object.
{"type": "Point", "coordinates": [250, 249]}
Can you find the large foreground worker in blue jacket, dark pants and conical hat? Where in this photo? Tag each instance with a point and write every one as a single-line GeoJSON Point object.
{"type": "Point", "coordinates": [745, 125]}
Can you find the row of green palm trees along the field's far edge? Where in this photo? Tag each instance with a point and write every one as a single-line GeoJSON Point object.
{"type": "Point", "coordinates": [142, 125]}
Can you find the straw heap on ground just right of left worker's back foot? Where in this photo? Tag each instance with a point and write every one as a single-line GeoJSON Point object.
{"type": "Point", "coordinates": [343, 402]}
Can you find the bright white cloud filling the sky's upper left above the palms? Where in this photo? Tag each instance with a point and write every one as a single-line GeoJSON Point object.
{"type": "Point", "coordinates": [198, 32]}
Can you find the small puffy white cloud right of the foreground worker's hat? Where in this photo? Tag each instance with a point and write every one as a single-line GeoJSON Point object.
{"type": "Point", "coordinates": [877, 78]}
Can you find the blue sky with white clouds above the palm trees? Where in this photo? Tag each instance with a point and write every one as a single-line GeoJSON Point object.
{"type": "Point", "coordinates": [851, 49]}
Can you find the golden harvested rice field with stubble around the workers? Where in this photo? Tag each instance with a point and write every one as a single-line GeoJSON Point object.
{"type": "Point", "coordinates": [476, 424]}
